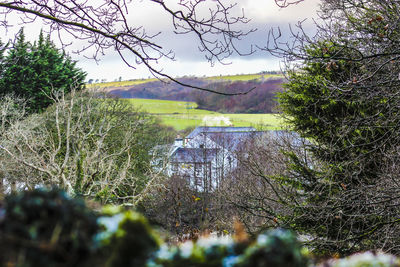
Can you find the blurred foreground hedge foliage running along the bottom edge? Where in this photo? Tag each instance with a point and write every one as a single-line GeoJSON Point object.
{"type": "Point", "coordinates": [45, 227]}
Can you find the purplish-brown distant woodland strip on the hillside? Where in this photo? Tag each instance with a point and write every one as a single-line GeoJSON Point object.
{"type": "Point", "coordinates": [260, 100]}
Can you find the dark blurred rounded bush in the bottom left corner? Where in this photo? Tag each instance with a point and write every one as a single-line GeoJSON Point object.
{"type": "Point", "coordinates": [46, 228]}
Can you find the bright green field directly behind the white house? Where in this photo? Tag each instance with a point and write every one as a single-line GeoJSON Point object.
{"type": "Point", "coordinates": [181, 114]}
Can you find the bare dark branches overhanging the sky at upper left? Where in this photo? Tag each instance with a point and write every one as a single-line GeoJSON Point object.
{"type": "Point", "coordinates": [105, 25]}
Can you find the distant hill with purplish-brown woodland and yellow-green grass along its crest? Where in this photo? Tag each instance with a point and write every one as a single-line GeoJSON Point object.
{"type": "Point", "coordinates": [261, 100]}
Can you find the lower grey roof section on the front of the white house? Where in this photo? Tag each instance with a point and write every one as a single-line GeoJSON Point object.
{"type": "Point", "coordinates": [193, 155]}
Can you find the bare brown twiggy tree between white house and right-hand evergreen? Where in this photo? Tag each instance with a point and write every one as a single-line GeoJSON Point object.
{"type": "Point", "coordinates": [253, 191]}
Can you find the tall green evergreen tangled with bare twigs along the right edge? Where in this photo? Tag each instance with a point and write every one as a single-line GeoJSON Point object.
{"type": "Point", "coordinates": [344, 99]}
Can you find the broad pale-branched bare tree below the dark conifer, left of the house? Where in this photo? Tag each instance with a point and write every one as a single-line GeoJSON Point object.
{"type": "Point", "coordinates": [84, 144]}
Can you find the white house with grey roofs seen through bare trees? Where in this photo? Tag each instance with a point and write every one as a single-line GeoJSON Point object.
{"type": "Point", "coordinates": [208, 154]}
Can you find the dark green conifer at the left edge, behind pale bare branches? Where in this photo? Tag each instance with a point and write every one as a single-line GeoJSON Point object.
{"type": "Point", "coordinates": [35, 72]}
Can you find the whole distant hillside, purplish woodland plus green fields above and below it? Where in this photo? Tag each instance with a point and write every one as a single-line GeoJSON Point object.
{"type": "Point", "coordinates": [183, 114]}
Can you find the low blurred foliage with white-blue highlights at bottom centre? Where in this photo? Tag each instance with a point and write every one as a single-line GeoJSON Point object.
{"type": "Point", "coordinates": [274, 248]}
